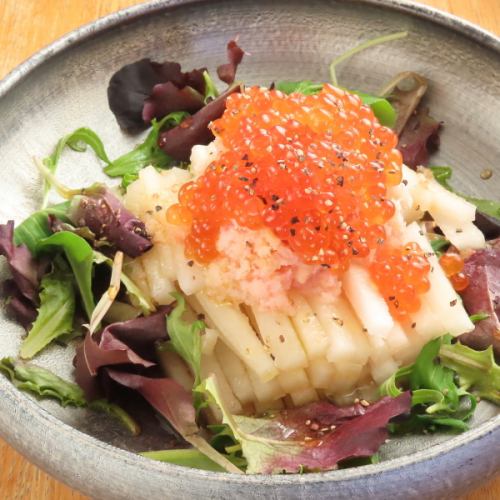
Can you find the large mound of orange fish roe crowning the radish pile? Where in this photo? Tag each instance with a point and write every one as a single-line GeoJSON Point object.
{"type": "Point", "coordinates": [315, 169]}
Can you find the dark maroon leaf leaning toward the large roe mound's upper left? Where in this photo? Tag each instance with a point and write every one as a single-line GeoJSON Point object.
{"type": "Point", "coordinates": [178, 141]}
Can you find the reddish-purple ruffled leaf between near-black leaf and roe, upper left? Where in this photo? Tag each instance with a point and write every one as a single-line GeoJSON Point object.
{"type": "Point", "coordinates": [166, 98]}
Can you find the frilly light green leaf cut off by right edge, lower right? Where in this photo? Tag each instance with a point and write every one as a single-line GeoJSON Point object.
{"type": "Point", "coordinates": [476, 370]}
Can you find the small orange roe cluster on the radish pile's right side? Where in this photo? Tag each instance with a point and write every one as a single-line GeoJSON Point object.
{"type": "Point", "coordinates": [401, 274]}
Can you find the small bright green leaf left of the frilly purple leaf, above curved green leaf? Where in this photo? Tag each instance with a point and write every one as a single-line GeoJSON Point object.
{"type": "Point", "coordinates": [36, 226]}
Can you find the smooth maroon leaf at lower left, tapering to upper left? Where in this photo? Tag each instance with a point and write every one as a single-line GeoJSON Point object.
{"type": "Point", "coordinates": [166, 396]}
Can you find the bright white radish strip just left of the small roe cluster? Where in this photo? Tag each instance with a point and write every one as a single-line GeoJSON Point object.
{"type": "Point", "coordinates": [369, 305]}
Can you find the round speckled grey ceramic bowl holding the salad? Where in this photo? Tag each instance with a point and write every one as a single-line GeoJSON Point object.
{"type": "Point", "coordinates": [64, 87]}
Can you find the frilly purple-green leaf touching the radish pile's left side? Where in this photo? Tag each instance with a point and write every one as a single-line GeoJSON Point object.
{"type": "Point", "coordinates": [108, 219]}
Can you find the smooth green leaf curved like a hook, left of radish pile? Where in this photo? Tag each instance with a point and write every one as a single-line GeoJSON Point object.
{"type": "Point", "coordinates": [80, 257]}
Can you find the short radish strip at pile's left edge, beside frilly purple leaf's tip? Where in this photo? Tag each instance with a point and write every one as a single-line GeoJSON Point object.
{"type": "Point", "coordinates": [157, 276]}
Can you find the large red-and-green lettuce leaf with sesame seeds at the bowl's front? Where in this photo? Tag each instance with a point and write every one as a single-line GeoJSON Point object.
{"type": "Point", "coordinates": [285, 443]}
